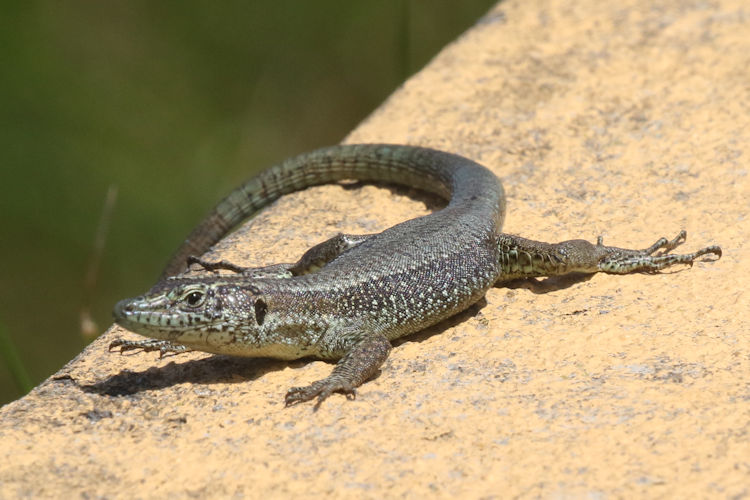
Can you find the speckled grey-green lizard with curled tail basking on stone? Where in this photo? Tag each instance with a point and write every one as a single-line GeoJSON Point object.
{"type": "Point", "coordinates": [348, 297]}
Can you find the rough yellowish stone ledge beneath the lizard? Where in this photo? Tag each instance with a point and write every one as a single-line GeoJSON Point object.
{"type": "Point", "coordinates": [628, 119]}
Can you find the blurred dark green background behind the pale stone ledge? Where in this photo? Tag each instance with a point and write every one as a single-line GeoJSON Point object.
{"type": "Point", "coordinates": [170, 104]}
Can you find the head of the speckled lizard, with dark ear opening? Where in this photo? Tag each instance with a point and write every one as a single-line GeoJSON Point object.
{"type": "Point", "coordinates": [193, 311]}
